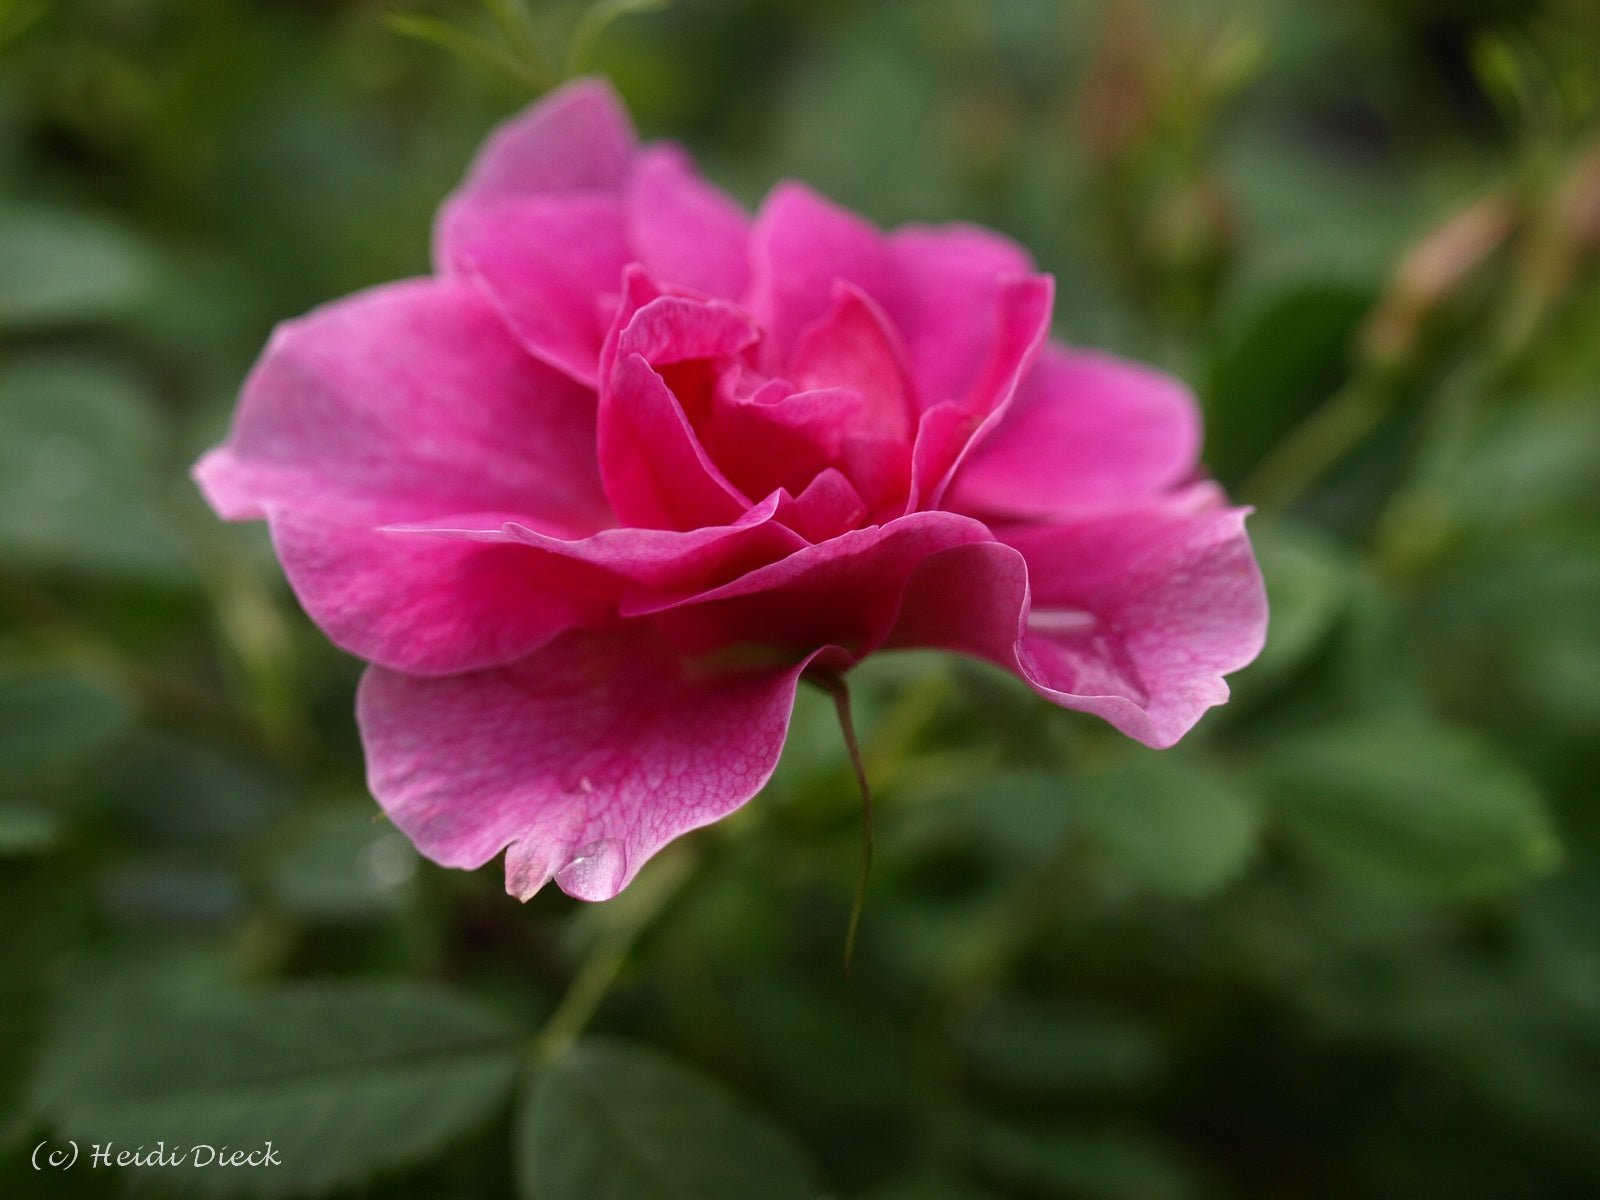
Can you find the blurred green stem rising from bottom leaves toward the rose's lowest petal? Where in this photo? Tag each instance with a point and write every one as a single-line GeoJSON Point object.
{"type": "Point", "coordinates": [625, 921]}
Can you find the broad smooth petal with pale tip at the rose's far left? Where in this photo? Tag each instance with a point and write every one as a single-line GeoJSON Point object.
{"type": "Point", "coordinates": [406, 402]}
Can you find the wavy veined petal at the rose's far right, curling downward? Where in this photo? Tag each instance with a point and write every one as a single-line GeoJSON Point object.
{"type": "Point", "coordinates": [1135, 615]}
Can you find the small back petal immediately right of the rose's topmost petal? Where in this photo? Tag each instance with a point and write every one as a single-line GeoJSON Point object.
{"type": "Point", "coordinates": [686, 231]}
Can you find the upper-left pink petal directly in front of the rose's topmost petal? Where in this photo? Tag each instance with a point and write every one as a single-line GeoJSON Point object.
{"type": "Point", "coordinates": [545, 262]}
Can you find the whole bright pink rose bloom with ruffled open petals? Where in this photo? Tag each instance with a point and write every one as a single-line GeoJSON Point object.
{"type": "Point", "coordinates": [596, 495]}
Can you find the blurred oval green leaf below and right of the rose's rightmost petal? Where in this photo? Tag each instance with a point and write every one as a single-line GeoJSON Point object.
{"type": "Point", "coordinates": [1412, 807]}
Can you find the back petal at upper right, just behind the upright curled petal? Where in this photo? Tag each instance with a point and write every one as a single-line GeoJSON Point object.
{"type": "Point", "coordinates": [951, 274]}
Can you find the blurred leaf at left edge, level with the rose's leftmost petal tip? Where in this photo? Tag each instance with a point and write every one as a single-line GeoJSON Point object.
{"type": "Point", "coordinates": [81, 471]}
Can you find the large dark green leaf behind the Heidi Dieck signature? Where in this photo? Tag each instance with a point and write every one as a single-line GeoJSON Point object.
{"type": "Point", "coordinates": [345, 1081]}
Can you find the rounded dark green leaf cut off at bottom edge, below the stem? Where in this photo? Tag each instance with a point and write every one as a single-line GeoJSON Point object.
{"type": "Point", "coordinates": [609, 1121]}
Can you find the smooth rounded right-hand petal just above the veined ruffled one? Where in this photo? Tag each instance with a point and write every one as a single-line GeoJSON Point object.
{"type": "Point", "coordinates": [1086, 430]}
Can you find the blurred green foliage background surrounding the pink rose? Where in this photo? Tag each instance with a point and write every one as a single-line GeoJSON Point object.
{"type": "Point", "coordinates": [1345, 942]}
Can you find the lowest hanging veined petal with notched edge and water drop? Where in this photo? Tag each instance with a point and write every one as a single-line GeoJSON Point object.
{"type": "Point", "coordinates": [582, 761]}
